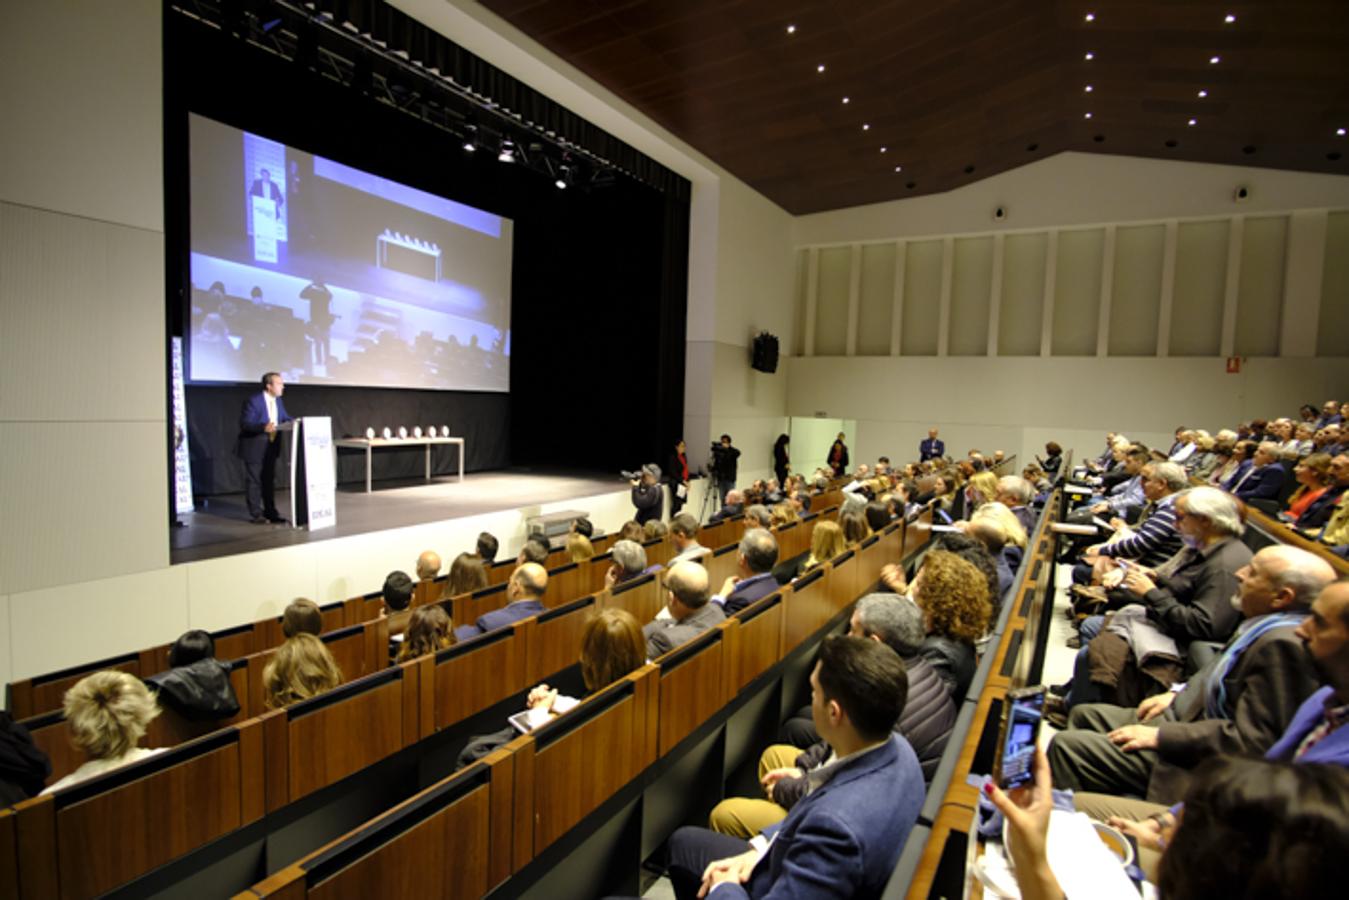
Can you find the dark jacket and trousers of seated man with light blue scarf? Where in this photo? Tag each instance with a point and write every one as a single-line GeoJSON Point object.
{"type": "Point", "coordinates": [1265, 689]}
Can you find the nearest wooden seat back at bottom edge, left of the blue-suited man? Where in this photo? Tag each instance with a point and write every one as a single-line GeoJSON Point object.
{"type": "Point", "coordinates": [453, 840]}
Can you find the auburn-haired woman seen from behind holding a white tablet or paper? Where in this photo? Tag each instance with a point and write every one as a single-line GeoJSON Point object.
{"type": "Point", "coordinates": [612, 648]}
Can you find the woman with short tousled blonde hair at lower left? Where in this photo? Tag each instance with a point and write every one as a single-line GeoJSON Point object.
{"type": "Point", "coordinates": [109, 714]}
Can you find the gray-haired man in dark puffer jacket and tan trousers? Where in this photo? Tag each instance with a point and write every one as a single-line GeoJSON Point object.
{"type": "Point", "coordinates": [927, 723]}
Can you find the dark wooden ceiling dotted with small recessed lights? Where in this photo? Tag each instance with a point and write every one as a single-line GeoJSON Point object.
{"type": "Point", "coordinates": [950, 84]}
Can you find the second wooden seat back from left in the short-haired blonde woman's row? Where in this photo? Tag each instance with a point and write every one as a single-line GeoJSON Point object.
{"type": "Point", "coordinates": [323, 740]}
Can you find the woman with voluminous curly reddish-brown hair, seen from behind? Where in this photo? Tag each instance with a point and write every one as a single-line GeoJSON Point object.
{"type": "Point", "coordinates": [954, 598]}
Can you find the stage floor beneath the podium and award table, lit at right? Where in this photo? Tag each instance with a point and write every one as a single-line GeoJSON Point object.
{"type": "Point", "coordinates": [221, 526]}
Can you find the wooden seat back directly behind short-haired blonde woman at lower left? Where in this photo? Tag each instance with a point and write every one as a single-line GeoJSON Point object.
{"type": "Point", "coordinates": [90, 839]}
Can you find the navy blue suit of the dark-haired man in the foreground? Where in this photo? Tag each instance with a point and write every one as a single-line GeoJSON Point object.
{"type": "Point", "coordinates": [842, 840]}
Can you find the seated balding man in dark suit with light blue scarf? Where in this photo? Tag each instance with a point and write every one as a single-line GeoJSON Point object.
{"type": "Point", "coordinates": [1240, 702]}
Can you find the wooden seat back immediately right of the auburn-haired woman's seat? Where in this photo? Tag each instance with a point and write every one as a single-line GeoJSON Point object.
{"type": "Point", "coordinates": [694, 685]}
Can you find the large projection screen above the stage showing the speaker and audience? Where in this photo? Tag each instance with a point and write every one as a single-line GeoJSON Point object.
{"type": "Point", "coordinates": [335, 276]}
